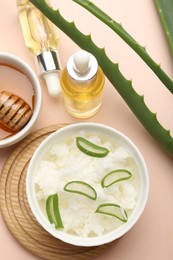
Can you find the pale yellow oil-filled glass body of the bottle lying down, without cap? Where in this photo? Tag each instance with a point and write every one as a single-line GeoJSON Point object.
{"type": "Point", "coordinates": [39, 33]}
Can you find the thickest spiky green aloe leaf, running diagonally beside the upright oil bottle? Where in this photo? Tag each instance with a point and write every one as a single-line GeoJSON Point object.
{"type": "Point", "coordinates": [122, 85]}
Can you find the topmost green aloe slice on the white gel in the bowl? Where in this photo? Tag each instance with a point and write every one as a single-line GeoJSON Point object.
{"type": "Point", "coordinates": [90, 148]}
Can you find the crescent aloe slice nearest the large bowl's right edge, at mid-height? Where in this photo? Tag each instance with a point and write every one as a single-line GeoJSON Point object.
{"type": "Point", "coordinates": [115, 176]}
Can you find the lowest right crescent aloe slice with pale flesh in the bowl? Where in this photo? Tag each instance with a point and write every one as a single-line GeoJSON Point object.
{"type": "Point", "coordinates": [113, 210]}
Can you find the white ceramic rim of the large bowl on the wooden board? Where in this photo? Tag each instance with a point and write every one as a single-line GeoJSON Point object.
{"type": "Point", "coordinates": [143, 184]}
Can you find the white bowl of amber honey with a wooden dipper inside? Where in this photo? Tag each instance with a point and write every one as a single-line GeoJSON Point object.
{"type": "Point", "coordinates": [20, 99]}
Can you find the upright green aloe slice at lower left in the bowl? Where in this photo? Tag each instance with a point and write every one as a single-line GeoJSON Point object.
{"type": "Point", "coordinates": [52, 210]}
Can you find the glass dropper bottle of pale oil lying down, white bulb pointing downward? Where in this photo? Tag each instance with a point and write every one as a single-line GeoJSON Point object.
{"type": "Point", "coordinates": [41, 38]}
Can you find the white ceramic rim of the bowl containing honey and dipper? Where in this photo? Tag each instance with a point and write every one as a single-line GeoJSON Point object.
{"type": "Point", "coordinates": [17, 63]}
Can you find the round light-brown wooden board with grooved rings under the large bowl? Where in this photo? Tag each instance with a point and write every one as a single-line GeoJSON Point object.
{"type": "Point", "coordinates": [16, 211]}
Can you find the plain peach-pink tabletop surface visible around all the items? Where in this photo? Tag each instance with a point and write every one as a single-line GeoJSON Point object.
{"type": "Point", "coordinates": [152, 237]}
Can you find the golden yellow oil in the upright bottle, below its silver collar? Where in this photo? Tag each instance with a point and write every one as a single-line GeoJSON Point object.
{"type": "Point", "coordinates": [82, 100]}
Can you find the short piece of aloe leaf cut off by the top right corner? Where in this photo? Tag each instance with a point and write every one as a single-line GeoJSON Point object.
{"type": "Point", "coordinates": [165, 10]}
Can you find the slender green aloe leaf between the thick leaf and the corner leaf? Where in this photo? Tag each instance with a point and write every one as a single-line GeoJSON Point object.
{"type": "Point", "coordinates": [117, 28]}
